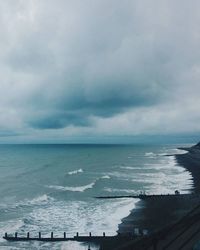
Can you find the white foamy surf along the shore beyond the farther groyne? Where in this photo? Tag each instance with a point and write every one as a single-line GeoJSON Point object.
{"type": "Point", "coordinates": [164, 176]}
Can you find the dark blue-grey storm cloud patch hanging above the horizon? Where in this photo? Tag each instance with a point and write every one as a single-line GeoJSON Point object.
{"type": "Point", "coordinates": [72, 106]}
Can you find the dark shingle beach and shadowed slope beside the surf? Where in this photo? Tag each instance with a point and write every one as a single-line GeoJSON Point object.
{"type": "Point", "coordinates": [168, 219]}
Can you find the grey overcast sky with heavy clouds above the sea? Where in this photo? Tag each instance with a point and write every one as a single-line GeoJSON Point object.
{"type": "Point", "coordinates": [95, 68]}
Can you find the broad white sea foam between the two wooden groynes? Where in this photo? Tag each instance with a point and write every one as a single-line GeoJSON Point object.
{"type": "Point", "coordinates": [98, 217]}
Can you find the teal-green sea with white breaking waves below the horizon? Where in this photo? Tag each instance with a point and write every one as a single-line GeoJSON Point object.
{"type": "Point", "coordinates": [53, 187]}
